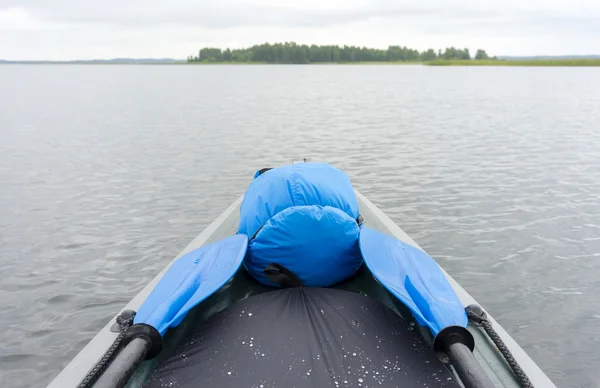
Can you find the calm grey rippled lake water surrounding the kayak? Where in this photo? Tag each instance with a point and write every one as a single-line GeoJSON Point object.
{"type": "Point", "coordinates": [107, 172]}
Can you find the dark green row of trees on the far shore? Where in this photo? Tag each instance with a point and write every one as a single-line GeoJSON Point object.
{"type": "Point", "coordinates": [291, 52]}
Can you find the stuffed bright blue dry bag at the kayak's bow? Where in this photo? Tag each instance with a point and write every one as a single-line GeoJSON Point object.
{"type": "Point", "coordinates": [302, 217]}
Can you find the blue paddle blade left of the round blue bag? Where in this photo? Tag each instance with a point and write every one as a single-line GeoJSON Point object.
{"type": "Point", "coordinates": [191, 279]}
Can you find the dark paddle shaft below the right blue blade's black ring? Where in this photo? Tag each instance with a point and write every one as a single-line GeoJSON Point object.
{"type": "Point", "coordinates": [467, 367]}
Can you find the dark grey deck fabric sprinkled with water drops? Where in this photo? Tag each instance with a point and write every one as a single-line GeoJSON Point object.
{"type": "Point", "coordinates": [303, 337]}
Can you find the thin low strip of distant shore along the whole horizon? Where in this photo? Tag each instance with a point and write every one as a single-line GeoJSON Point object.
{"type": "Point", "coordinates": [439, 62]}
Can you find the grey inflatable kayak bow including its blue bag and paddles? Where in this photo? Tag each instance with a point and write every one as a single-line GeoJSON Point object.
{"type": "Point", "coordinates": [302, 282]}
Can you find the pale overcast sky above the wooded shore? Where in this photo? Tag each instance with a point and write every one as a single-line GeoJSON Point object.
{"type": "Point", "coordinates": [103, 29]}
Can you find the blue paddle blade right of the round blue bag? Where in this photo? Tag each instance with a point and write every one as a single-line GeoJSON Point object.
{"type": "Point", "coordinates": [414, 278]}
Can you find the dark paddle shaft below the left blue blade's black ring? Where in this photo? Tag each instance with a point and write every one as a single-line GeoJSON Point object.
{"type": "Point", "coordinates": [122, 367]}
